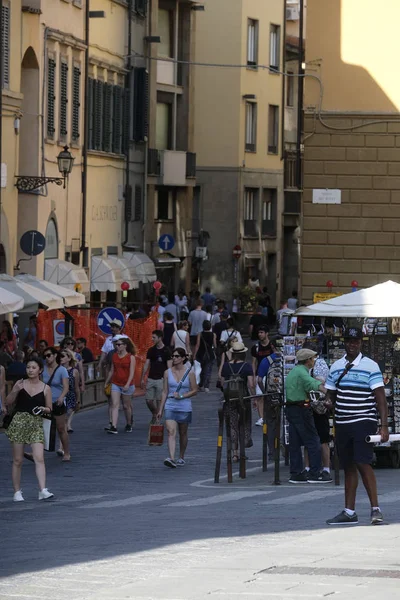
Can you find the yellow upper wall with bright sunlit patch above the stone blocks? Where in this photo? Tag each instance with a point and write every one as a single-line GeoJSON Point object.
{"type": "Point", "coordinates": [357, 61]}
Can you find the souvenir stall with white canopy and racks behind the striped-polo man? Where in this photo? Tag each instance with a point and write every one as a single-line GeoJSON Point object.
{"type": "Point", "coordinates": [376, 310]}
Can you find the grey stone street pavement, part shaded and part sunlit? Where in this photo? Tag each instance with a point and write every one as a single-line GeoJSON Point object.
{"type": "Point", "coordinates": [123, 526]}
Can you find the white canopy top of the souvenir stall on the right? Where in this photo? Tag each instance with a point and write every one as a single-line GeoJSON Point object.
{"type": "Point", "coordinates": [382, 300]}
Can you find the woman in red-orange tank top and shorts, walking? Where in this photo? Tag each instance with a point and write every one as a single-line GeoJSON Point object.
{"type": "Point", "coordinates": [121, 375]}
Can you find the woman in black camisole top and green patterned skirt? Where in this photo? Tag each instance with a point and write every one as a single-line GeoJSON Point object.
{"type": "Point", "coordinates": [32, 399]}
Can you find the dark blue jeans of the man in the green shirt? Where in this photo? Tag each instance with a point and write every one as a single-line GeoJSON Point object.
{"type": "Point", "coordinates": [302, 432]}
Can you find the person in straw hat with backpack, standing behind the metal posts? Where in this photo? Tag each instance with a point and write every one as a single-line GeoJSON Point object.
{"type": "Point", "coordinates": [237, 366]}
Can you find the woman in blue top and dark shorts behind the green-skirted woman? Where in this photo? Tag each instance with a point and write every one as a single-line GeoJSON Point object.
{"type": "Point", "coordinates": [57, 379]}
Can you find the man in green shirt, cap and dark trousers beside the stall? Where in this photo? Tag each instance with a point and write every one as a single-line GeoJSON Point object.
{"type": "Point", "coordinates": [299, 414]}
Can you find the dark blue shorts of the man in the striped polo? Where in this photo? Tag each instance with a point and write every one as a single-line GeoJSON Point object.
{"type": "Point", "coordinates": [351, 445]}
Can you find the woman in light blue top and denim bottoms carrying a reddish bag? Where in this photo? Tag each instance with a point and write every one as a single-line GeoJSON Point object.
{"type": "Point", "coordinates": [179, 387]}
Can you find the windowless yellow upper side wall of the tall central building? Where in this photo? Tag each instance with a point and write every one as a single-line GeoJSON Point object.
{"type": "Point", "coordinates": [217, 90]}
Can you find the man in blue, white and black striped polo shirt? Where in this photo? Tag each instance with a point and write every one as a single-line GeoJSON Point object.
{"type": "Point", "coordinates": [356, 389]}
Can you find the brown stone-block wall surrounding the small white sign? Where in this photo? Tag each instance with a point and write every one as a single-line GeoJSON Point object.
{"type": "Point", "coordinates": [359, 238]}
